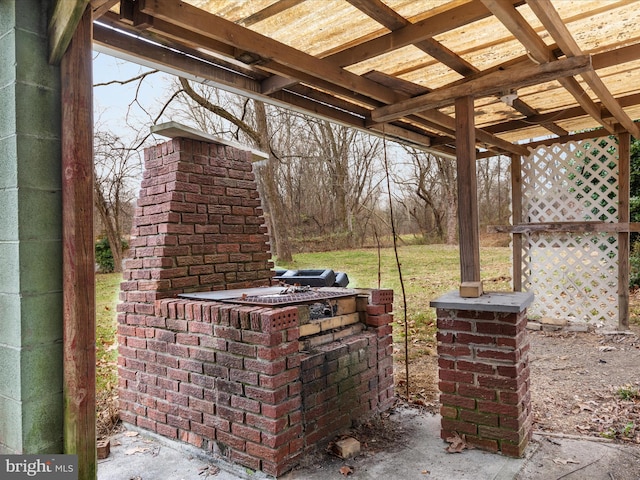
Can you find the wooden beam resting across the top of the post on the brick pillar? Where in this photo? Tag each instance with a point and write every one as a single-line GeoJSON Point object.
{"type": "Point", "coordinates": [487, 85]}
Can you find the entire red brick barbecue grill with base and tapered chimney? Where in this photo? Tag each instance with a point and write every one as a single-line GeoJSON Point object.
{"type": "Point", "coordinates": [234, 380]}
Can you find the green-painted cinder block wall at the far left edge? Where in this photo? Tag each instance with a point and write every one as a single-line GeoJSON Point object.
{"type": "Point", "coordinates": [31, 409]}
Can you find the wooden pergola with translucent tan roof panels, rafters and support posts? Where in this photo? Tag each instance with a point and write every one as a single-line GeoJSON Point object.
{"type": "Point", "coordinates": [468, 78]}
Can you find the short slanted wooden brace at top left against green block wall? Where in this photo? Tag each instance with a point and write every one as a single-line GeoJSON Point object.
{"type": "Point", "coordinates": [62, 25]}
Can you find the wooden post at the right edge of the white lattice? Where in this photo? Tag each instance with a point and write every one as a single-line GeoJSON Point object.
{"type": "Point", "coordinates": [624, 172]}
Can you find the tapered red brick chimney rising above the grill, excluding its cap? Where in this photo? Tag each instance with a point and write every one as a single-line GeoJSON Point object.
{"type": "Point", "coordinates": [198, 224]}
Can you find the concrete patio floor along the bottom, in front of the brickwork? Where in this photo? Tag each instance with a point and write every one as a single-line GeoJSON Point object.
{"type": "Point", "coordinates": [417, 452]}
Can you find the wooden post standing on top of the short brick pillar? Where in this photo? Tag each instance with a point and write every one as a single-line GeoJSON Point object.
{"type": "Point", "coordinates": [467, 191]}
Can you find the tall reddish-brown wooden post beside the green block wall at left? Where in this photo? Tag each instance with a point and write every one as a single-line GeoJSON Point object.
{"type": "Point", "coordinates": [78, 251]}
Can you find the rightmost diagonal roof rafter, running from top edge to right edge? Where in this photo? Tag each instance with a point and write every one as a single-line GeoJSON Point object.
{"type": "Point", "coordinates": [551, 20]}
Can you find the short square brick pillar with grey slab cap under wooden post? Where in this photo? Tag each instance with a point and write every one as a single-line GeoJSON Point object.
{"type": "Point", "coordinates": [484, 371]}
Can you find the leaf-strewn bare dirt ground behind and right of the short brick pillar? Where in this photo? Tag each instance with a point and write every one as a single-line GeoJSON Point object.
{"type": "Point", "coordinates": [582, 384]}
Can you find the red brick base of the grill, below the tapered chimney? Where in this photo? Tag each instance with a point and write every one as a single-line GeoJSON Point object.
{"type": "Point", "coordinates": [232, 380]}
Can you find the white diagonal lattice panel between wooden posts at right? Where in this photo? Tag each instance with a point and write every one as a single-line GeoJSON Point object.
{"type": "Point", "coordinates": [573, 276]}
